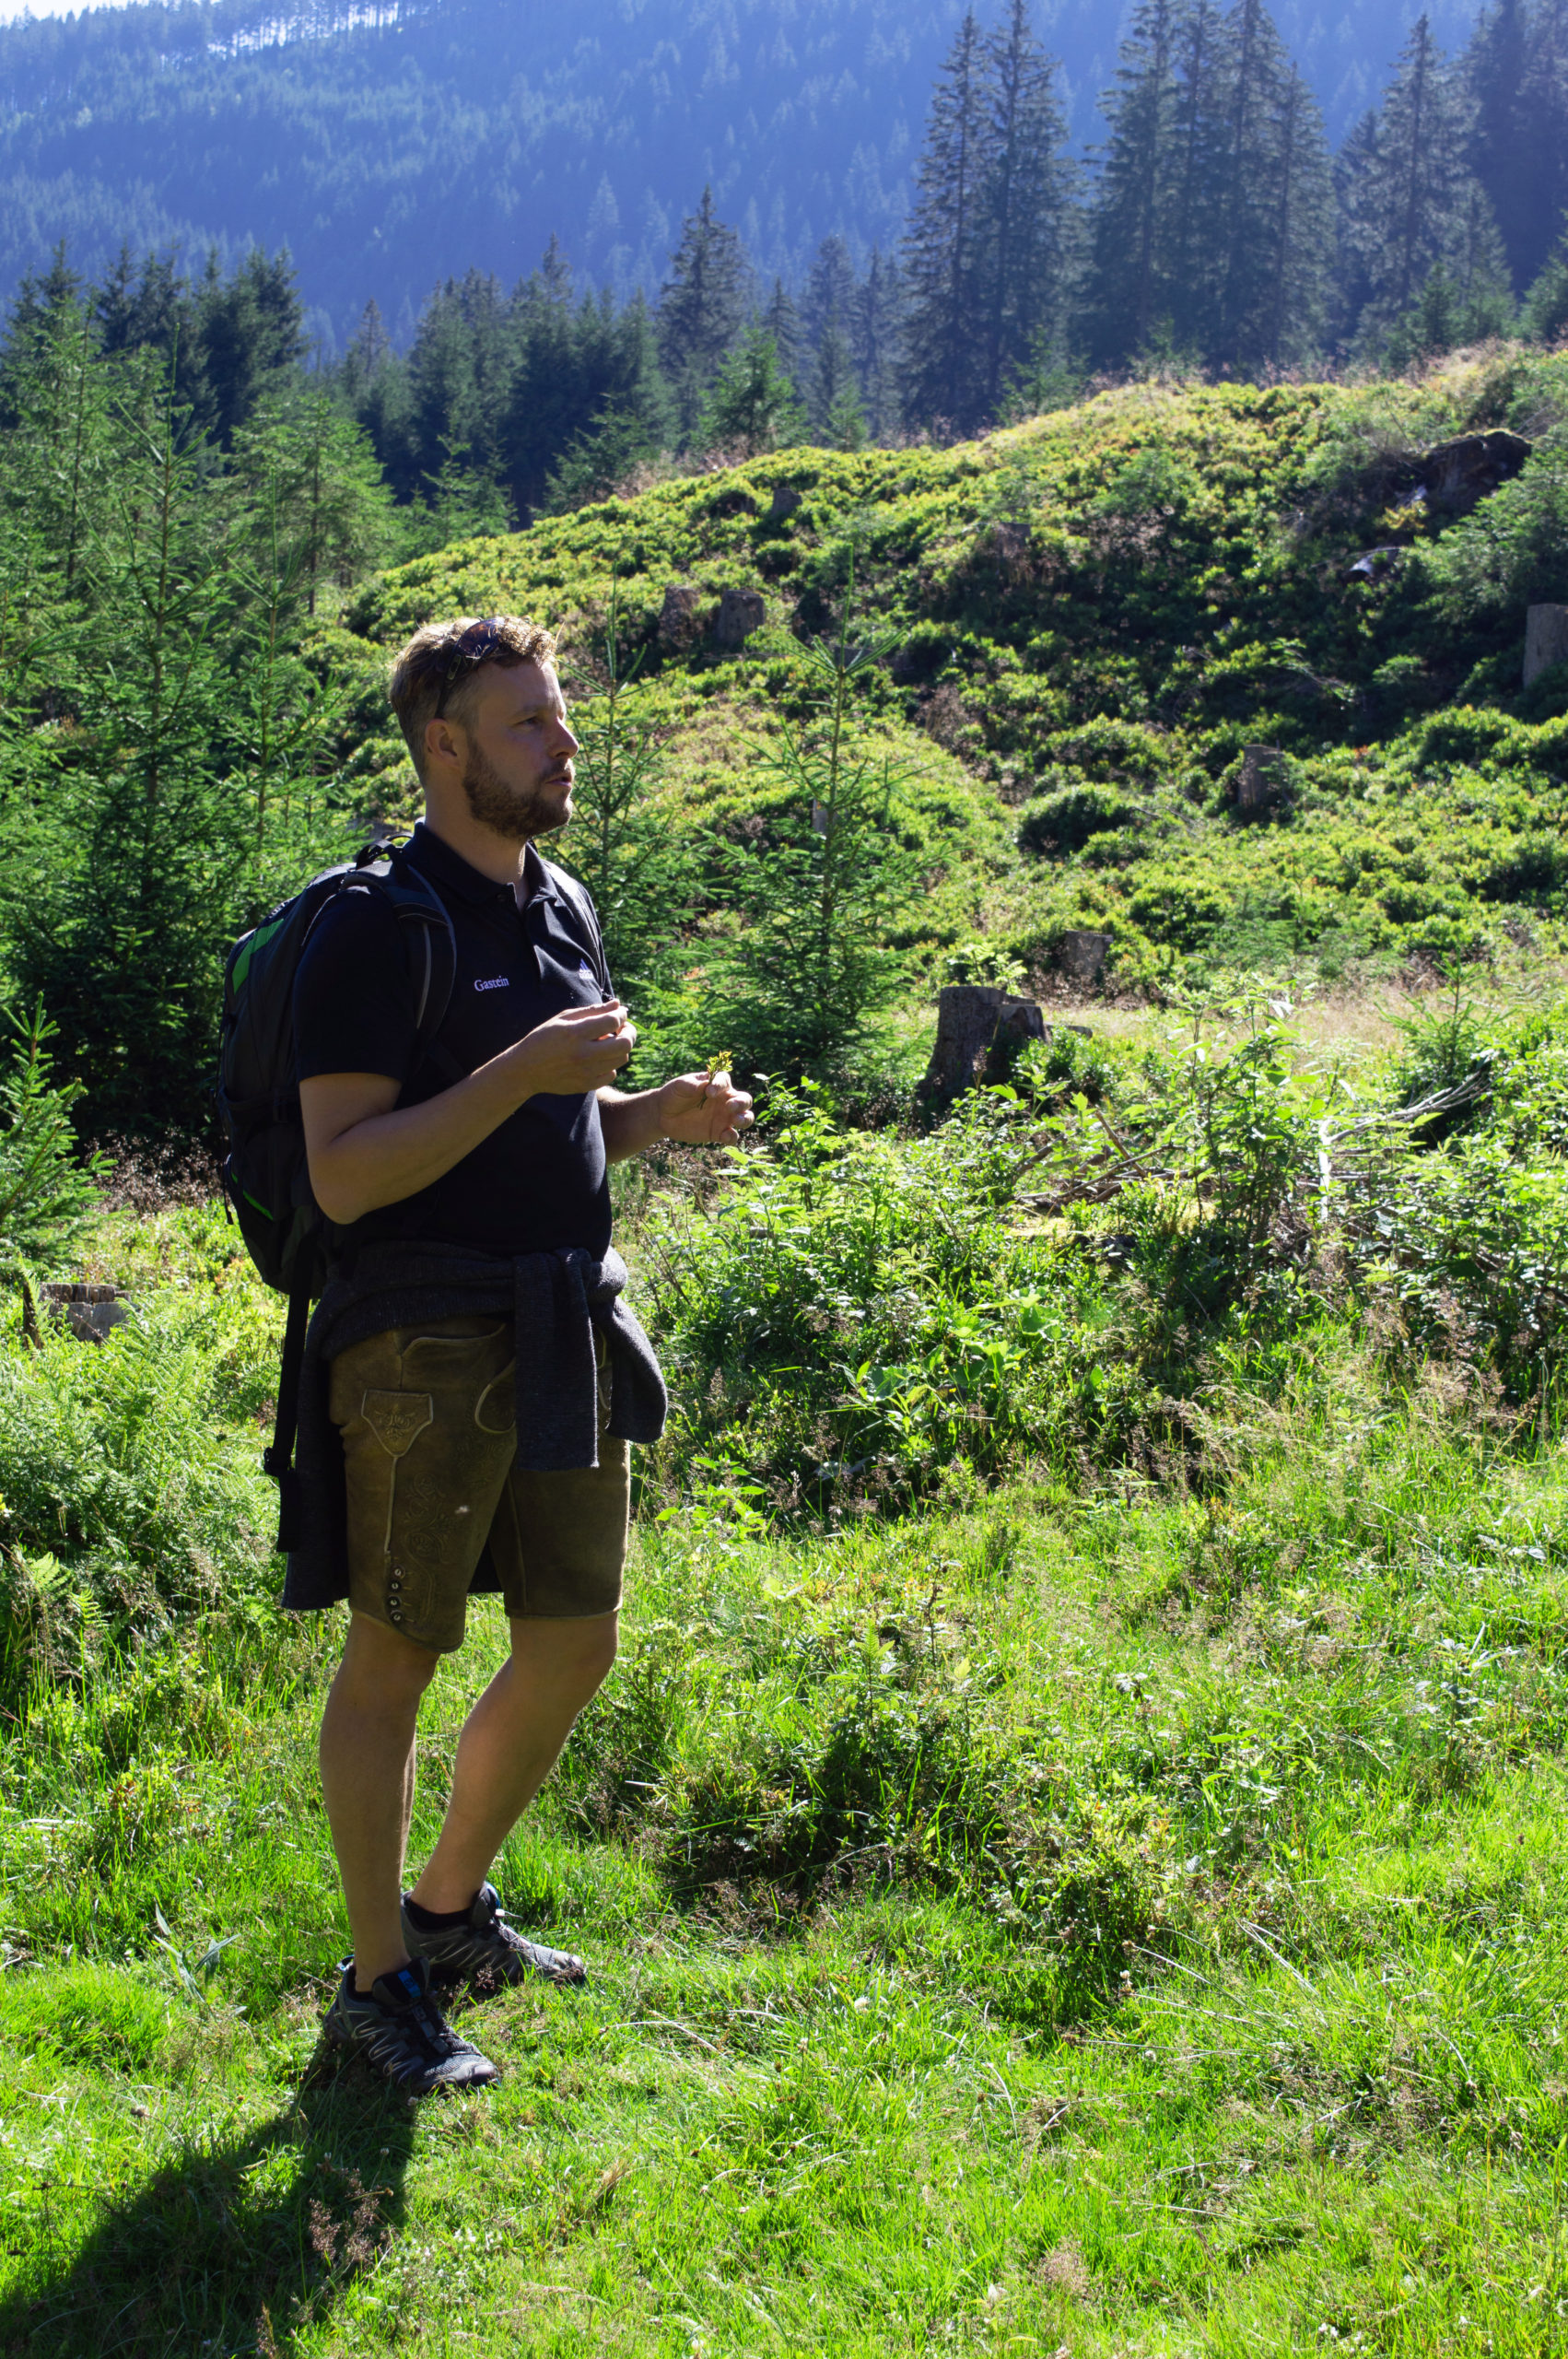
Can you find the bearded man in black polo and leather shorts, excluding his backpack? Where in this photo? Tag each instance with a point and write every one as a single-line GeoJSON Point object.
{"type": "Point", "coordinates": [470, 1353]}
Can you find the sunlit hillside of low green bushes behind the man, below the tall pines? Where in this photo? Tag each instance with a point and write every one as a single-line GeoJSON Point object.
{"type": "Point", "coordinates": [1112, 598]}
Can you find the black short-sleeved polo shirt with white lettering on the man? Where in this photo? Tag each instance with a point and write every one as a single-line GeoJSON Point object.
{"type": "Point", "coordinates": [539, 1181]}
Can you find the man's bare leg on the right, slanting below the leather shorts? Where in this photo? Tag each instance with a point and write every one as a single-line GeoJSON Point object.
{"type": "Point", "coordinates": [510, 1744]}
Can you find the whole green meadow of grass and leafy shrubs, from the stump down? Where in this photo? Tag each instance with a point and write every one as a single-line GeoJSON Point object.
{"type": "Point", "coordinates": [1069, 1858]}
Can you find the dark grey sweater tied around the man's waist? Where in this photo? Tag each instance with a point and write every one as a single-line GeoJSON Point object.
{"type": "Point", "coordinates": [555, 1303]}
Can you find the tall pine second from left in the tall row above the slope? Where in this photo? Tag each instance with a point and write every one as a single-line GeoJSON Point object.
{"type": "Point", "coordinates": [1025, 199]}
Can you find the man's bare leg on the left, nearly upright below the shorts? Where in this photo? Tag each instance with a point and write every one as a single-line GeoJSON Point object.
{"type": "Point", "coordinates": [367, 1778]}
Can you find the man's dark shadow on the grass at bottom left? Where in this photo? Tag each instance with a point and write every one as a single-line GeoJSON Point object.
{"type": "Point", "coordinates": [235, 2247]}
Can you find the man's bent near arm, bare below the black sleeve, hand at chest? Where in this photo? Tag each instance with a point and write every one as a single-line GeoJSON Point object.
{"type": "Point", "coordinates": [364, 1150]}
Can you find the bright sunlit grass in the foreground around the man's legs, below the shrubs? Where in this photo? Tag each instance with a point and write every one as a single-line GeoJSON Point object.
{"type": "Point", "coordinates": [1098, 1921]}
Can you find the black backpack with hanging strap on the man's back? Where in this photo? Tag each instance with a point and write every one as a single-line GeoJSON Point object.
{"type": "Point", "coordinates": [258, 1100]}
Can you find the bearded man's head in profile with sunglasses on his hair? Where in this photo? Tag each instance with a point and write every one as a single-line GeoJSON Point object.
{"type": "Point", "coordinates": [487, 728]}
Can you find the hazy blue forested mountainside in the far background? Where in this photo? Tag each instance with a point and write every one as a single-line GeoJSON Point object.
{"type": "Point", "coordinates": [395, 143]}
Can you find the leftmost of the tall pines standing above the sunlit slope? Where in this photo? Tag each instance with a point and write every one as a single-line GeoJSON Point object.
{"type": "Point", "coordinates": [947, 247]}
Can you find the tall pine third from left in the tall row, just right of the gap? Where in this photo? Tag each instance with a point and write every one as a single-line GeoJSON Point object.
{"type": "Point", "coordinates": [1128, 291]}
